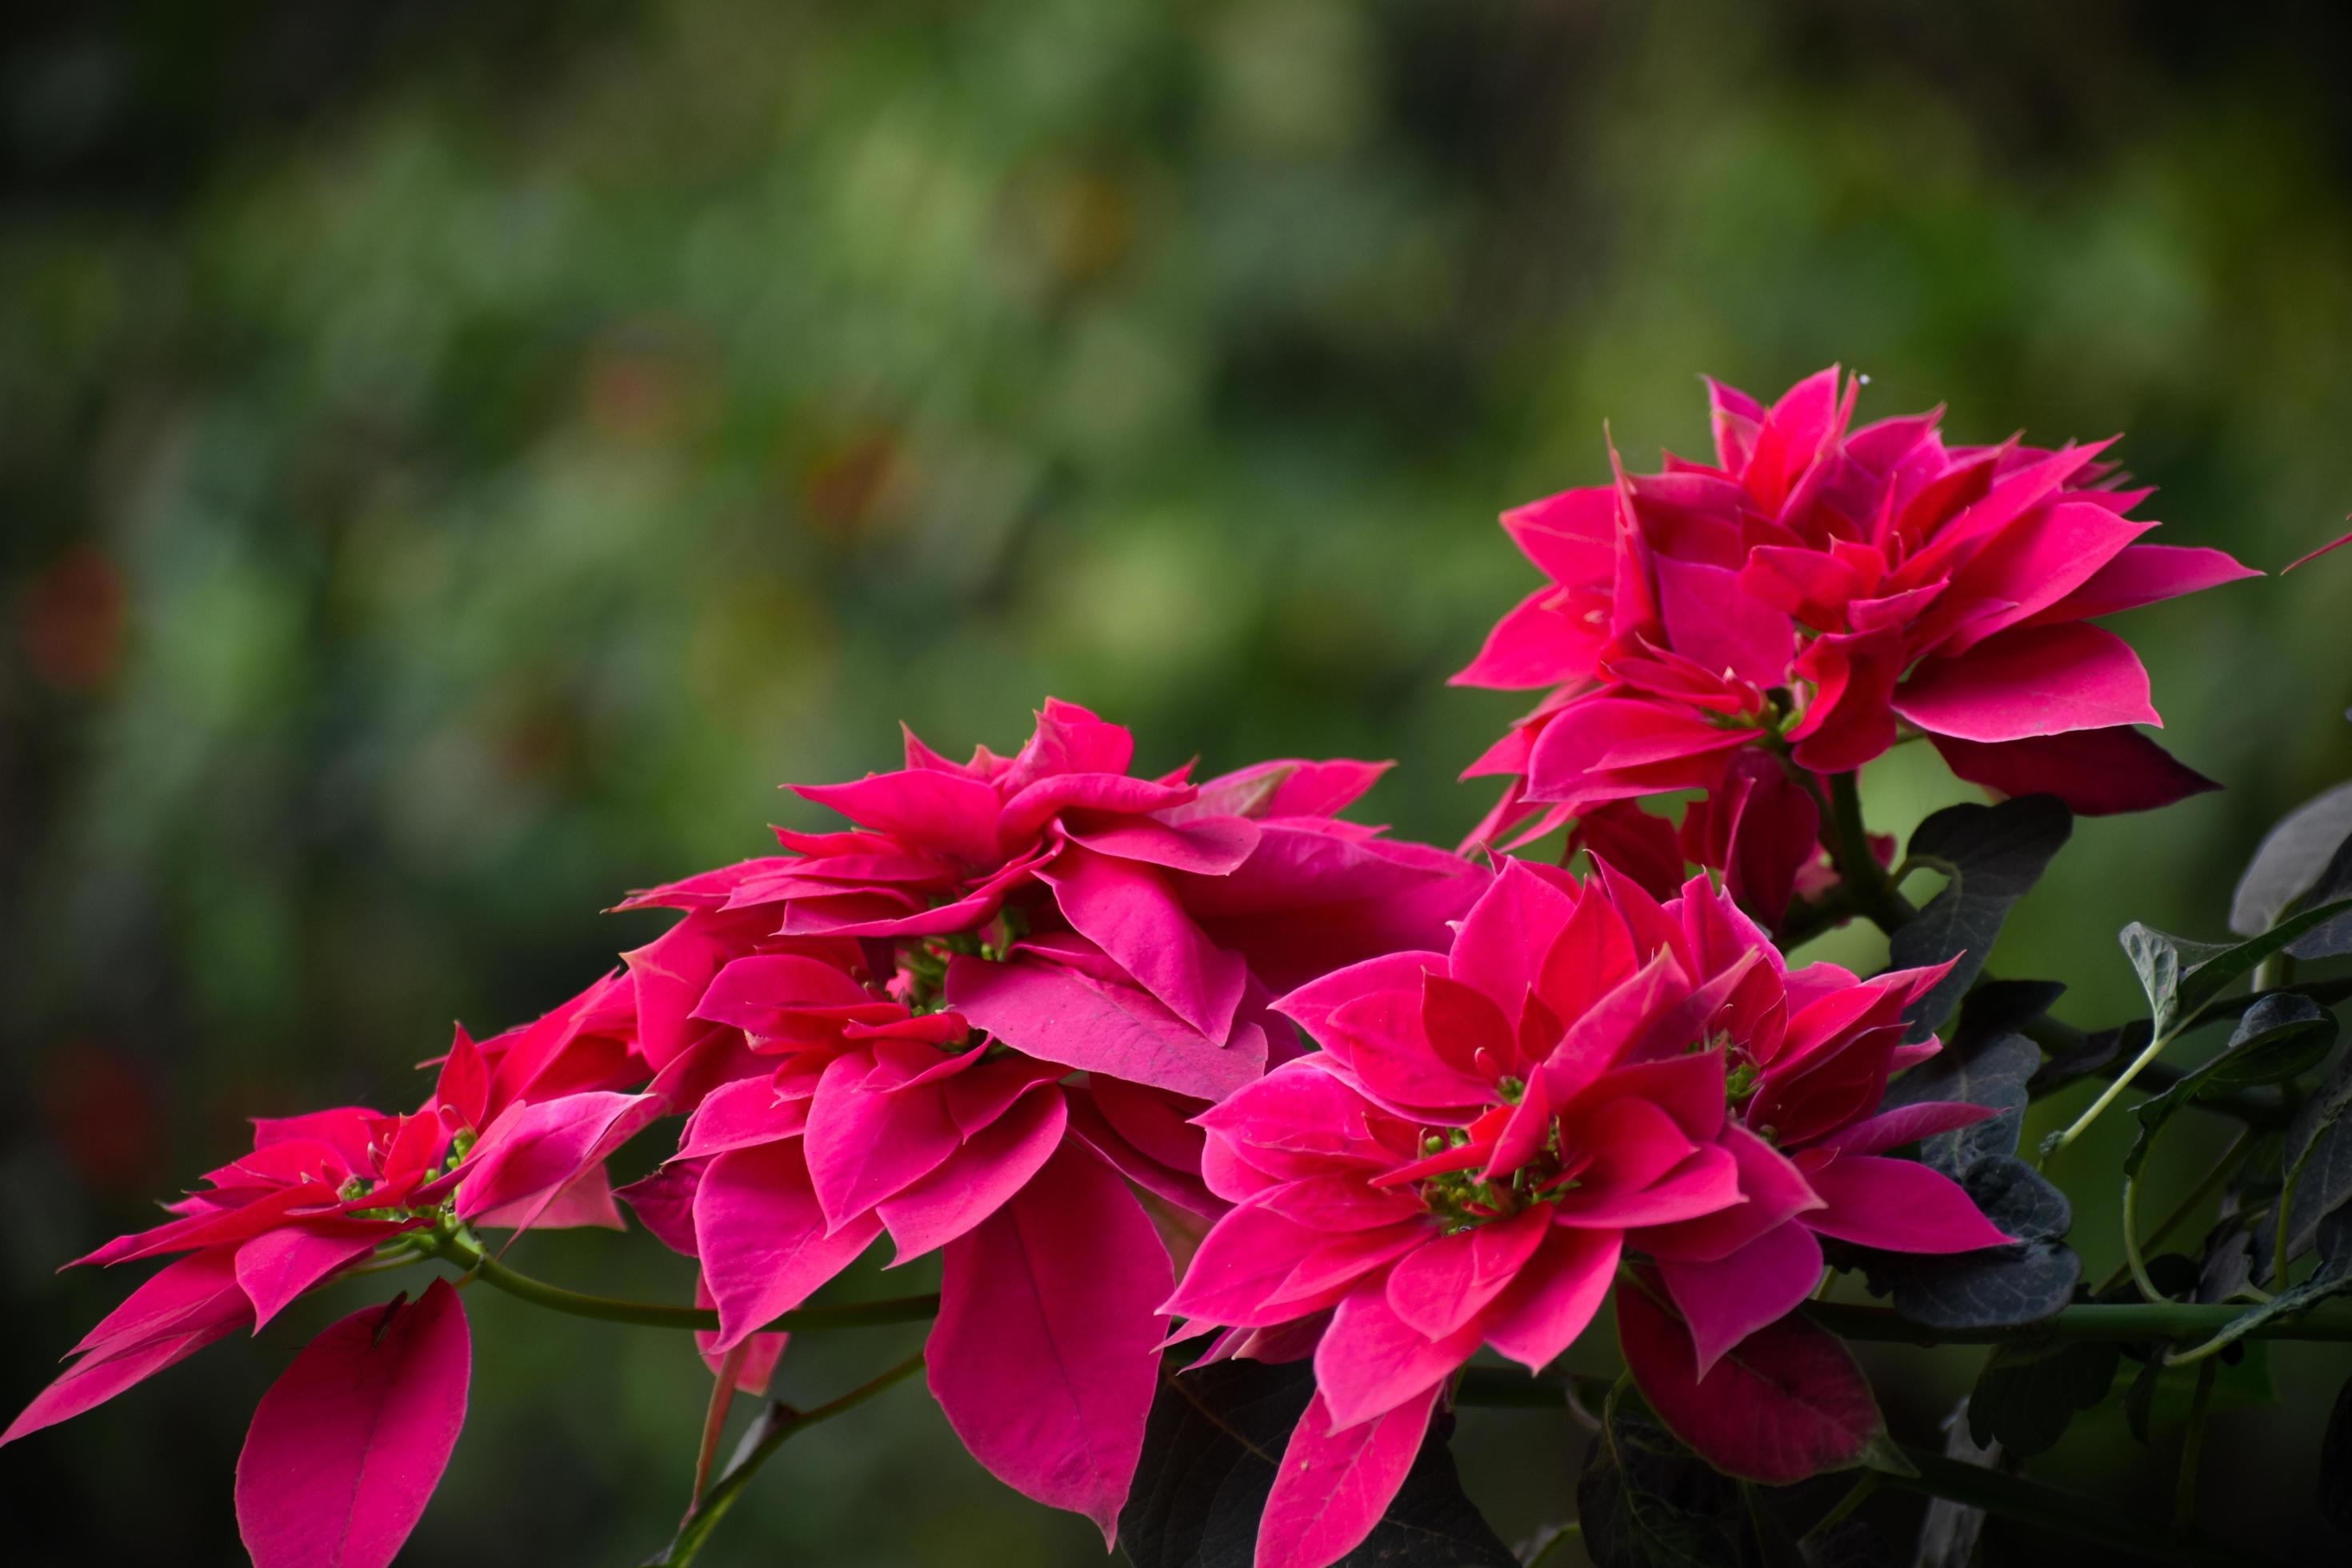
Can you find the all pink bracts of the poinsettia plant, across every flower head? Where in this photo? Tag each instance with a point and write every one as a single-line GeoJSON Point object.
{"type": "Point", "coordinates": [1060, 1024]}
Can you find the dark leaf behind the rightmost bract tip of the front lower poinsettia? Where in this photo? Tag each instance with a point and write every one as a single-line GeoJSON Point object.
{"type": "Point", "coordinates": [2000, 1285]}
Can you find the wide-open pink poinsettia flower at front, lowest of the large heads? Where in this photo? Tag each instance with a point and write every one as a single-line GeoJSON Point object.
{"type": "Point", "coordinates": [1584, 1076]}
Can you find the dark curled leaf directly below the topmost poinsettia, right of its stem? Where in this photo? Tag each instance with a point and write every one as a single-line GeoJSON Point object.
{"type": "Point", "coordinates": [1993, 857]}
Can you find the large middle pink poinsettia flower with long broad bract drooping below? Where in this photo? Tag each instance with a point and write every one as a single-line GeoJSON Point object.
{"type": "Point", "coordinates": [980, 1024]}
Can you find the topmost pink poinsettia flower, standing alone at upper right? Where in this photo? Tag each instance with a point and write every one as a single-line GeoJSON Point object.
{"type": "Point", "coordinates": [1831, 591]}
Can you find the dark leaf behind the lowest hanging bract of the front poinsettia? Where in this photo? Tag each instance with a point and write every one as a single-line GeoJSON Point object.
{"type": "Point", "coordinates": [1210, 1461]}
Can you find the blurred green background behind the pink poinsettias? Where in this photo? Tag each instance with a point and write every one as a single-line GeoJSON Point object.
{"type": "Point", "coordinates": [455, 460]}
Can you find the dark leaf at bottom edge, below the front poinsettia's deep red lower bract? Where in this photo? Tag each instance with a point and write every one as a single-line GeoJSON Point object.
{"type": "Point", "coordinates": [1652, 1503]}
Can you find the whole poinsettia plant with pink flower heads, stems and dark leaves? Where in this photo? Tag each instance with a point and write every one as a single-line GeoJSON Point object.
{"type": "Point", "coordinates": [1257, 1146]}
